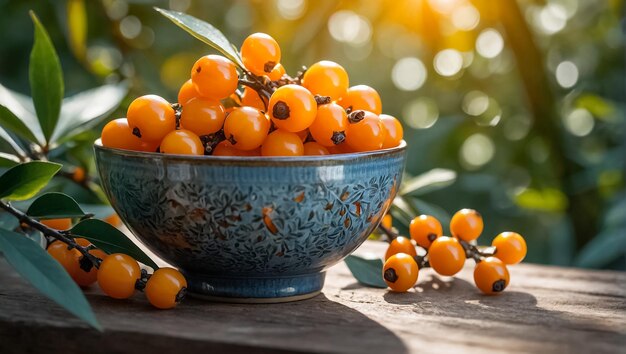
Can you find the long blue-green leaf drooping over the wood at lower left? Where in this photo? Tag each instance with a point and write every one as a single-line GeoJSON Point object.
{"type": "Point", "coordinates": [46, 274]}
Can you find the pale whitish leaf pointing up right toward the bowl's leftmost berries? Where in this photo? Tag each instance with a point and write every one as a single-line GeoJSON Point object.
{"type": "Point", "coordinates": [86, 109]}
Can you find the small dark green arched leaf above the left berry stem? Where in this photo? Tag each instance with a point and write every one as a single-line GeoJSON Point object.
{"type": "Point", "coordinates": [55, 206]}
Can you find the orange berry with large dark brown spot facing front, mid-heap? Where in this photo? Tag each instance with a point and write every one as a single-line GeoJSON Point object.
{"type": "Point", "coordinates": [292, 108]}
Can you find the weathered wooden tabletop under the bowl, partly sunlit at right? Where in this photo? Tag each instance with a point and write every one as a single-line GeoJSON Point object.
{"type": "Point", "coordinates": [545, 309]}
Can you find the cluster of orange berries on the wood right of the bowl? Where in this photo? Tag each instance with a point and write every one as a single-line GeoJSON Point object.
{"type": "Point", "coordinates": [446, 254]}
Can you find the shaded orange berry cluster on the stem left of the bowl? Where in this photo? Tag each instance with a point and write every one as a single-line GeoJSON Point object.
{"type": "Point", "coordinates": [118, 275]}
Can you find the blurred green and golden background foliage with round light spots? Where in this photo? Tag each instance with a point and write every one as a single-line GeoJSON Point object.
{"type": "Point", "coordinates": [524, 99]}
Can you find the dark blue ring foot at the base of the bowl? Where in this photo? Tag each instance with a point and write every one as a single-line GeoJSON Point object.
{"type": "Point", "coordinates": [255, 289]}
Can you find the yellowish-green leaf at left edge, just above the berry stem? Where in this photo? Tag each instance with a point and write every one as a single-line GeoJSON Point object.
{"type": "Point", "coordinates": [25, 180]}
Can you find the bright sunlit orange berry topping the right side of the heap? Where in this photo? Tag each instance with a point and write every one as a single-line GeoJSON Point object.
{"type": "Point", "coordinates": [326, 78]}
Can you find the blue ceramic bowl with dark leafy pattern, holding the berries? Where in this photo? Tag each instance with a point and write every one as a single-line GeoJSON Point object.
{"type": "Point", "coordinates": [251, 228]}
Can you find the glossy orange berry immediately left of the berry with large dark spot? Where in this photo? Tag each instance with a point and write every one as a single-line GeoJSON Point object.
{"type": "Point", "coordinates": [246, 128]}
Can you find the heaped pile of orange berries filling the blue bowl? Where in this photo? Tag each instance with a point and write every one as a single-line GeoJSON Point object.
{"type": "Point", "coordinates": [260, 111]}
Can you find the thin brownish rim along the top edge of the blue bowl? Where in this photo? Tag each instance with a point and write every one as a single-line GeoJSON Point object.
{"type": "Point", "coordinates": [256, 159]}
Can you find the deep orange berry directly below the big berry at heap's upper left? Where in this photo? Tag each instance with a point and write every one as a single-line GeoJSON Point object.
{"type": "Point", "coordinates": [202, 116]}
